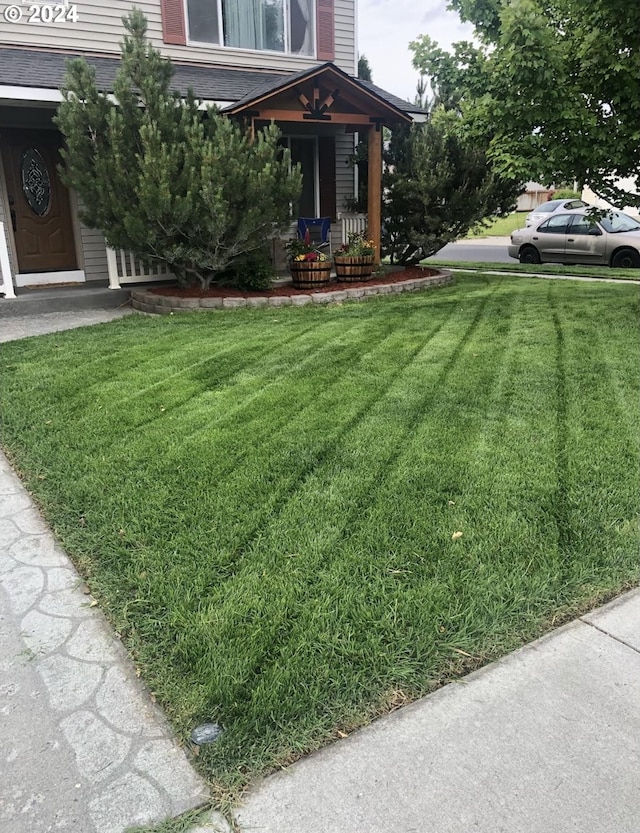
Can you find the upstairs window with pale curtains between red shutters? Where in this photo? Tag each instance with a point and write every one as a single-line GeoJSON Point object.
{"type": "Point", "coordinates": [272, 25]}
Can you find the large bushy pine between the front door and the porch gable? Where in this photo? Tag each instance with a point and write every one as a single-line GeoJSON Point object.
{"type": "Point", "coordinates": [164, 179]}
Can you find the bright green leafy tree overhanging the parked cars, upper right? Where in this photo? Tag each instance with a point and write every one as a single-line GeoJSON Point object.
{"type": "Point", "coordinates": [553, 88]}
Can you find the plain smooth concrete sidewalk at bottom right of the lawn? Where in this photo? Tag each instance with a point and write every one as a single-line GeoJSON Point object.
{"type": "Point", "coordinates": [546, 740]}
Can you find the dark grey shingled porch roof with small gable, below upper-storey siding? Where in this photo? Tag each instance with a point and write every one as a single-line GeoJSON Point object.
{"type": "Point", "coordinates": [44, 69]}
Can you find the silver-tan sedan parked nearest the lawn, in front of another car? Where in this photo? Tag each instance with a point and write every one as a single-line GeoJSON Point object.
{"type": "Point", "coordinates": [612, 239]}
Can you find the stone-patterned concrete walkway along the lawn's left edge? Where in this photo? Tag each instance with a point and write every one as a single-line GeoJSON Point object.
{"type": "Point", "coordinates": [82, 747]}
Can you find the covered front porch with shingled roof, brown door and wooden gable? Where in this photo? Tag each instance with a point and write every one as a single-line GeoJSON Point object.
{"type": "Point", "coordinates": [321, 112]}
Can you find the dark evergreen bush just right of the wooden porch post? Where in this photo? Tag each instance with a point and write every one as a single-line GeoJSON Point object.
{"type": "Point", "coordinates": [438, 184]}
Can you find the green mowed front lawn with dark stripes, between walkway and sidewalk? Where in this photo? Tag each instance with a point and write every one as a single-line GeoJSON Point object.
{"type": "Point", "coordinates": [264, 501]}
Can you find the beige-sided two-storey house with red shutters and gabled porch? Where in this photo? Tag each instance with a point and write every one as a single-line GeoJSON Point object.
{"type": "Point", "coordinates": [291, 61]}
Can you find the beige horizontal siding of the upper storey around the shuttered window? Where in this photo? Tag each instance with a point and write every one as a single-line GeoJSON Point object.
{"type": "Point", "coordinates": [99, 30]}
